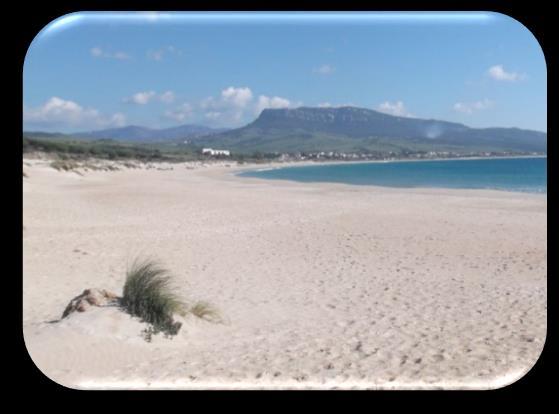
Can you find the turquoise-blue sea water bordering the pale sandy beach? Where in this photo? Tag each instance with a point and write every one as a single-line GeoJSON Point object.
{"type": "Point", "coordinates": [509, 174]}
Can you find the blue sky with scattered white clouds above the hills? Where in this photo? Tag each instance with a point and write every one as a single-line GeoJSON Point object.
{"type": "Point", "coordinates": [98, 70]}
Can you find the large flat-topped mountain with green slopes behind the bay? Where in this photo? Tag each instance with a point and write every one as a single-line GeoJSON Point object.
{"type": "Point", "coordinates": [351, 129]}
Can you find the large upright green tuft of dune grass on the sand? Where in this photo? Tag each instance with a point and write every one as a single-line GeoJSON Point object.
{"type": "Point", "coordinates": [148, 294]}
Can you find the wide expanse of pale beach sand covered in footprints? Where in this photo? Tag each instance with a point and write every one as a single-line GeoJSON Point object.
{"type": "Point", "coordinates": [322, 285]}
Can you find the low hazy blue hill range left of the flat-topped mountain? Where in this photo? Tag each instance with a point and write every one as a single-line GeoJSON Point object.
{"type": "Point", "coordinates": [143, 134]}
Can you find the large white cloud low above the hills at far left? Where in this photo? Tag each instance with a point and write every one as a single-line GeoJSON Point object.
{"type": "Point", "coordinates": [60, 113]}
